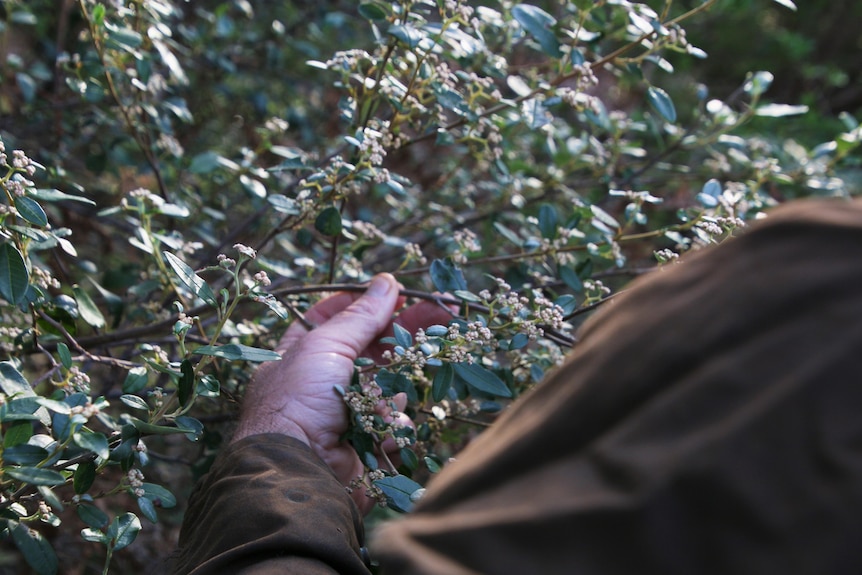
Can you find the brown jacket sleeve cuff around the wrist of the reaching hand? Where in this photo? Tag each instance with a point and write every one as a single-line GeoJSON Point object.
{"type": "Point", "coordinates": [270, 506]}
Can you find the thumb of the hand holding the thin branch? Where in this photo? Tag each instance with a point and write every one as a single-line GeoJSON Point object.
{"type": "Point", "coordinates": [357, 325]}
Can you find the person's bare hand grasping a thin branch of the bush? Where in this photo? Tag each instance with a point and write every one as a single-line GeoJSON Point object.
{"type": "Point", "coordinates": [296, 396]}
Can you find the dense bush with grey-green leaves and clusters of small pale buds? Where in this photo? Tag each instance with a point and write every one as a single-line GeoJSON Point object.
{"type": "Point", "coordinates": [182, 179]}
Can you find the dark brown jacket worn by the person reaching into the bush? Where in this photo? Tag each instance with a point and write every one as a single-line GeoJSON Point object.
{"type": "Point", "coordinates": [709, 422]}
